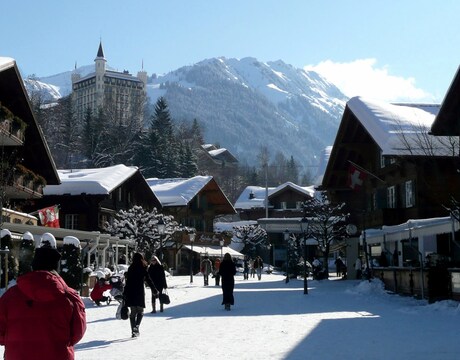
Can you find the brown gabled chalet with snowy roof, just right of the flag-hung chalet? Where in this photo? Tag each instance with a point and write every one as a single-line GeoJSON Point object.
{"type": "Point", "coordinates": [196, 203]}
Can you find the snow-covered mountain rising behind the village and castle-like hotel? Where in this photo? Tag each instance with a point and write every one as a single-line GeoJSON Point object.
{"type": "Point", "coordinates": [244, 104]}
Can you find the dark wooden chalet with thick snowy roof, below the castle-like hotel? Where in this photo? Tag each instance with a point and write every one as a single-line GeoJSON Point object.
{"type": "Point", "coordinates": [88, 198]}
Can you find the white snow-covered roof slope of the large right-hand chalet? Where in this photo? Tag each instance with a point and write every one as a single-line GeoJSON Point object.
{"type": "Point", "coordinates": [399, 129]}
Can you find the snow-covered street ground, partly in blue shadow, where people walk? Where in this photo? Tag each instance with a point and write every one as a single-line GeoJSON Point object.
{"type": "Point", "coordinates": [337, 319]}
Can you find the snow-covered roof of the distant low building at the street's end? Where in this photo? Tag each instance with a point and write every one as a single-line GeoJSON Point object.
{"type": "Point", "coordinates": [253, 197]}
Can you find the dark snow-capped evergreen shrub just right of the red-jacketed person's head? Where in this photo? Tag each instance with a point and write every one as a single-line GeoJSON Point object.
{"type": "Point", "coordinates": [71, 269]}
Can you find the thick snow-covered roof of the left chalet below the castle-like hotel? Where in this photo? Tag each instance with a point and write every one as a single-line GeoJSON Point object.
{"type": "Point", "coordinates": [98, 181]}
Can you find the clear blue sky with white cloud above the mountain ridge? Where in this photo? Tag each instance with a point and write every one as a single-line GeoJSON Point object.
{"type": "Point", "coordinates": [392, 50]}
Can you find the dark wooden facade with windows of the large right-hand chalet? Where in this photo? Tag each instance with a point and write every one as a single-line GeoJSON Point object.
{"type": "Point", "coordinates": [397, 186]}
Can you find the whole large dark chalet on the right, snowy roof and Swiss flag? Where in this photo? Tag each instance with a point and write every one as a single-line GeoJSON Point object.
{"type": "Point", "coordinates": [389, 171]}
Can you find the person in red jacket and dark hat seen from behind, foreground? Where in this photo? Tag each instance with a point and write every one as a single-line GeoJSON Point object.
{"type": "Point", "coordinates": [41, 317]}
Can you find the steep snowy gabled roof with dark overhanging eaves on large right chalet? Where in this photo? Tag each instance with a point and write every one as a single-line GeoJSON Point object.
{"type": "Point", "coordinates": [396, 130]}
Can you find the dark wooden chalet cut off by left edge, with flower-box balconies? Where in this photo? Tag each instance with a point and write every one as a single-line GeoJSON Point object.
{"type": "Point", "coordinates": [26, 163]}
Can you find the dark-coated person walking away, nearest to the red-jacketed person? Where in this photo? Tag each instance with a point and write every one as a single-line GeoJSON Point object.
{"type": "Point", "coordinates": [134, 293]}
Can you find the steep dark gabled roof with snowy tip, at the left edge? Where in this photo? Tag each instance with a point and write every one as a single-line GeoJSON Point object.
{"type": "Point", "coordinates": [13, 95]}
